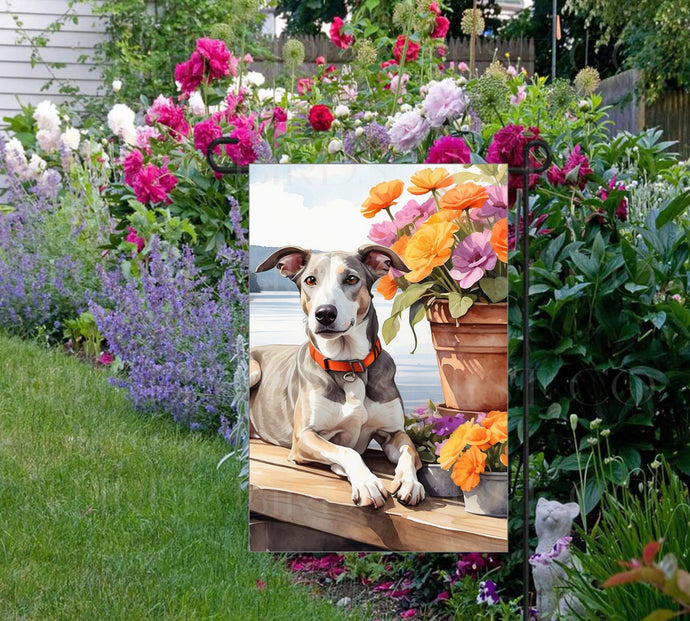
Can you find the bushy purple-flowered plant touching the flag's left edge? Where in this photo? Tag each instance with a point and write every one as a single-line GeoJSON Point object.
{"type": "Point", "coordinates": [178, 334]}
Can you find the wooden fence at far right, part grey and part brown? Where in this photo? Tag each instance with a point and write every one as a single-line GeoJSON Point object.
{"type": "Point", "coordinates": [670, 113]}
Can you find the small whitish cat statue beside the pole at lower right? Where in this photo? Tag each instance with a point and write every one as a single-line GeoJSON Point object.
{"type": "Point", "coordinates": [553, 524]}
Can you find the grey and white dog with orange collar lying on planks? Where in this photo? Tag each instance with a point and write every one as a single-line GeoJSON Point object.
{"type": "Point", "coordinates": [326, 399]}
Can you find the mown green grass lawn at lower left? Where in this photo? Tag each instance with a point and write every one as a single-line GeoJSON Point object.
{"type": "Point", "coordinates": [108, 514]}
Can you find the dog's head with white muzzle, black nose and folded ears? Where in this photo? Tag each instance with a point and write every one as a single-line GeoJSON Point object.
{"type": "Point", "coordinates": [335, 287]}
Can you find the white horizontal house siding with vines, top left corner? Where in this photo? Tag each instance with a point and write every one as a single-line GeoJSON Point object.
{"type": "Point", "coordinates": [18, 79]}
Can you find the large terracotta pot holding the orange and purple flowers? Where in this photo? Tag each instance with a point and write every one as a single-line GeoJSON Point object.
{"type": "Point", "coordinates": [472, 354]}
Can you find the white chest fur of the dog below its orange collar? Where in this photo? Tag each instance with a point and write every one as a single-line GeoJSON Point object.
{"type": "Point", "coordinates": [354, 422]}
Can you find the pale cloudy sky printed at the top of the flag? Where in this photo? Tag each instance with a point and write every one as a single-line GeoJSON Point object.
{"type": "Point", "coordinates": [318, 206]}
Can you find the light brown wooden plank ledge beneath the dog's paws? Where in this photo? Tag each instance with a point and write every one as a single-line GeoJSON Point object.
{"type": "Point", "coordinates": [313, 496]}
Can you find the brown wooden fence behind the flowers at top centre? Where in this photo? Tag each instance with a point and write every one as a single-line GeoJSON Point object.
{"type": "Point", "coordinates": [458, 50]}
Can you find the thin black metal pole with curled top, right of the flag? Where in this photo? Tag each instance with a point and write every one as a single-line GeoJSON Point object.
{"type": "Point", "coordinates": [525, 170]}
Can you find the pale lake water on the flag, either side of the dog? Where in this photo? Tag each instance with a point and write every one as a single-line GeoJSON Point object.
{"type": "Point", "coordinates": [275, 317]}
